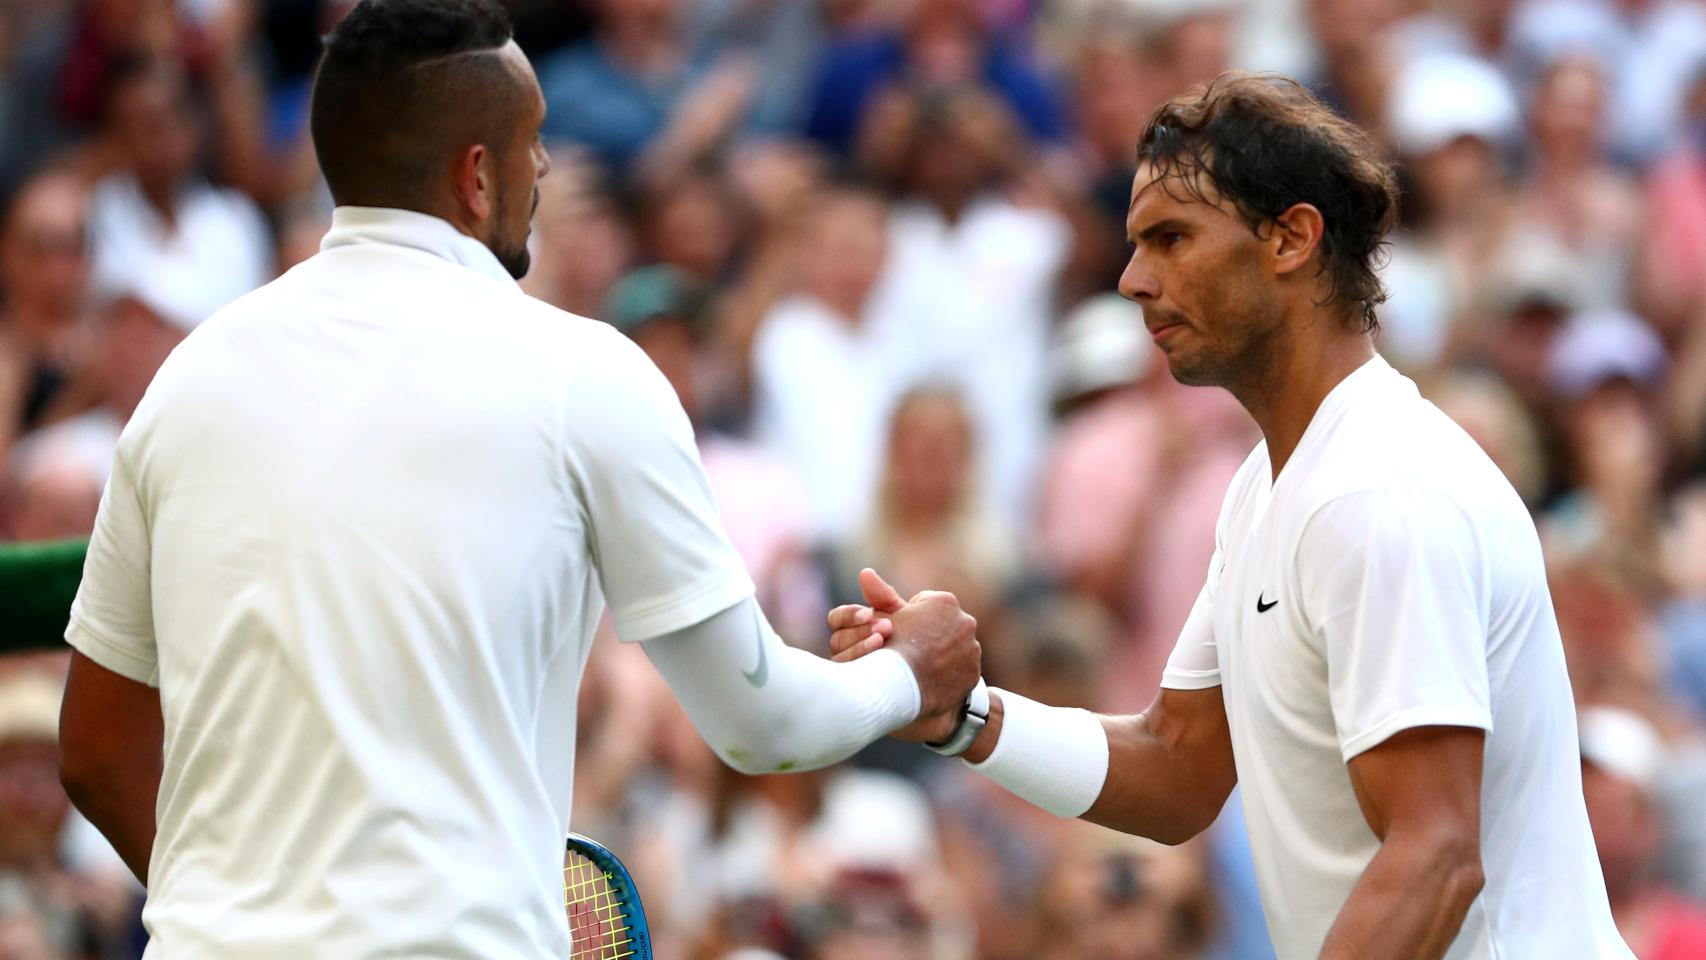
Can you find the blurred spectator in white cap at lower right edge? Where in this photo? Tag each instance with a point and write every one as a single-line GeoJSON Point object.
{"type": "Point", "coordinates": [1623, 760]}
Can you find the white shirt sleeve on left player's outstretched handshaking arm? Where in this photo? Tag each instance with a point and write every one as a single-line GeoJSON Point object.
{"type": "Point", "coordinates": [656, 538]}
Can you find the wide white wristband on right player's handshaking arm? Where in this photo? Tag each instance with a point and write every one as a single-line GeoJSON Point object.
{"type": "Point", "coordinates": [1055, 758]}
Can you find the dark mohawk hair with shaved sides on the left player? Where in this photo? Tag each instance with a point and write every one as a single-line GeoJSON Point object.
{"type": "Point", "coordinates": [402, 88]}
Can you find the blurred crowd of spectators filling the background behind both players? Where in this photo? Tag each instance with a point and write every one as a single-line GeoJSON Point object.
{"type": "Point", "coordinates": [874, 245]}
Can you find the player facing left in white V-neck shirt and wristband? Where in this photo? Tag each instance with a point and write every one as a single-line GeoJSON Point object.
{"type": "Point", "coordinates": [1374, 656]}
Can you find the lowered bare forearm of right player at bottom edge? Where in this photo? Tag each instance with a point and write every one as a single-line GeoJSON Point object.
{"type": "Point", "coordinates": [1408, 906]}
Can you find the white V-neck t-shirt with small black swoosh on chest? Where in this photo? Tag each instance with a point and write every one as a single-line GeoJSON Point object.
{"type": "Point", "coordinates": [1393, 579]}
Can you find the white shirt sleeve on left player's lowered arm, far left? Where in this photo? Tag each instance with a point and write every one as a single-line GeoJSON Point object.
{"type": "Point", "coordinates": [113, 611]}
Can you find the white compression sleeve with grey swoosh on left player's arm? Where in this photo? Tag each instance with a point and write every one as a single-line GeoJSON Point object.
{"type": "Point", "coordinates": [767, 707]}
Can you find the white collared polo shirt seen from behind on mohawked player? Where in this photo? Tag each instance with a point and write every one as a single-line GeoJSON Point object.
{"type": "Point", "coordinates": [359, 535]}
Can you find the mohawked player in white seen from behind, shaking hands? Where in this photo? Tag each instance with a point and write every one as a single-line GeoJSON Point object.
{"type": "Point", "coordinates": [357, 538]}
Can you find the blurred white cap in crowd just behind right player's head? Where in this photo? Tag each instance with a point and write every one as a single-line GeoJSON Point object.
{"type": "Point", "coordinates": [1444, 96]}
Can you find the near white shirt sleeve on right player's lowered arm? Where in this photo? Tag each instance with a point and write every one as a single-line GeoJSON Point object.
{"type": "Point", "coordinates": [1393, 591]}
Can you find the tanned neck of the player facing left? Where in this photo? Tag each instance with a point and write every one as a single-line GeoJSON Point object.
{"type": "Point", "coordinates": [1323, 354]}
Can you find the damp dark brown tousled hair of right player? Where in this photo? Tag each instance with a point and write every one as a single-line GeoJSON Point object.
{"type": "Point", "coordinates": [1267, 144]}
